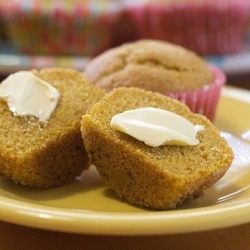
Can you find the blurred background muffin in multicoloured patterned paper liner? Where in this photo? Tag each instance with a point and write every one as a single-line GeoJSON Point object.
{"type": "Point", "coordinates": [61, 27]}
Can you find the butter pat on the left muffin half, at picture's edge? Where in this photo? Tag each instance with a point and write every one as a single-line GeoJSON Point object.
{"type": "Point", "coordinates": [28, 95]}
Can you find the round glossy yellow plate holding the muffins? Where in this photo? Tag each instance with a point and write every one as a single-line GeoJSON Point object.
{"type": "Point", "coordinates": [89, 206]}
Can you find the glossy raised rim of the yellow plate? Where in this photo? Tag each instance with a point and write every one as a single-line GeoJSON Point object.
{"type": "Point", "coordinates": [128, 223]}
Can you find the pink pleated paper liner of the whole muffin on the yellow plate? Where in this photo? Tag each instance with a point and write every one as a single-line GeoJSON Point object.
{"type": "Point", "coordinates": [204, 100]}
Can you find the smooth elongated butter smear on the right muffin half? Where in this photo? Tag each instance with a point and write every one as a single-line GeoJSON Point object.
{"type": "Point", "coordinates": [156, 127]}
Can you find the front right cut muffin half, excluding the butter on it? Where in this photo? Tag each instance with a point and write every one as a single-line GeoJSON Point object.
{"type": "Point", "coordinates": [161, 177]}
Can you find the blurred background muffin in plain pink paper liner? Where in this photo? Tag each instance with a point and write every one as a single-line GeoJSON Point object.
{"type": "Point", "coordinates": [207, 27]}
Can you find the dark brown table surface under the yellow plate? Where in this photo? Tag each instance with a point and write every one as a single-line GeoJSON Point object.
{"type": "Point", "coordinates": [236, 238]}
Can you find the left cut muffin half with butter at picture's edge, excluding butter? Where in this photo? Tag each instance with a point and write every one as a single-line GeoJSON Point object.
{"type": "Point", "coordinates": [51, 154]}
